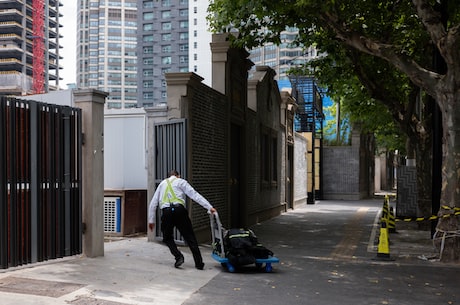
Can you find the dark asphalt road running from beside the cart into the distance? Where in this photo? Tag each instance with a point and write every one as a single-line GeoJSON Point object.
{"type": "Point", "coordinates": [327, 255]}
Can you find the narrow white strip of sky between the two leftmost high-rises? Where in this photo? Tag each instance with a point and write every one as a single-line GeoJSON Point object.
{"type": "Point", "coordinates": [68, 42]}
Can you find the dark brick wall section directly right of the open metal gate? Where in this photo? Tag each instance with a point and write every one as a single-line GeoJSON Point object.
{"type": "Point", "coordinates": [208, 146]}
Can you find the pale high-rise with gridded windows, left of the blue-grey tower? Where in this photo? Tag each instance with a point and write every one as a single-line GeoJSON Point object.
{"type": "Point", "coordinates": [106, 49]}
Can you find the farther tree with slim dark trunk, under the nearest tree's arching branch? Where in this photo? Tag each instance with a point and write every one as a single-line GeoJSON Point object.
{"type": "Point", "coordinates": [383, 107]}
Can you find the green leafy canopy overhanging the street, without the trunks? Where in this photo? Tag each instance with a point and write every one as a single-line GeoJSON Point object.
{"type": "Point", "coordinates": [371, 91]}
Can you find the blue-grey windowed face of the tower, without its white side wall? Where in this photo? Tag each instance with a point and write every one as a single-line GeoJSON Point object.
{"type": "Point", "coordinates": [163, 46]}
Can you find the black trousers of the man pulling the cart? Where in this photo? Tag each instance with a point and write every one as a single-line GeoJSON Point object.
{"type": "Point", "coordinates": [178, 217]}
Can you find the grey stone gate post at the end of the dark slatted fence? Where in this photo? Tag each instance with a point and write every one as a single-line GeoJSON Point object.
{"type": "Point", "coordinates": [91, 102]}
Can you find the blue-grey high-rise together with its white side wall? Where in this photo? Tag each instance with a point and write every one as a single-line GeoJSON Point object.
{"type": "Point", "coordinates": [173, 37]}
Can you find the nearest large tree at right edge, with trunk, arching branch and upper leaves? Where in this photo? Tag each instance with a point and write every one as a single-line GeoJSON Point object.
{"type": "Point", "coordinates": [387, 30]}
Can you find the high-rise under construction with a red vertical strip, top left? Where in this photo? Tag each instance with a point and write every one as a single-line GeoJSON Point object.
{"type": "Point", "coordinates": [29, 46]}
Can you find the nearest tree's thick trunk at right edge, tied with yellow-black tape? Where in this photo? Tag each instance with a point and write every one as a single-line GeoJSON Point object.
{"type": "Point", "coordinates": [447, 235]}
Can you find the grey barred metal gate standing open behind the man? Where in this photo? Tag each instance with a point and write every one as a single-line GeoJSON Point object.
{"type": "Point", "coordinates": [170, 153]}
